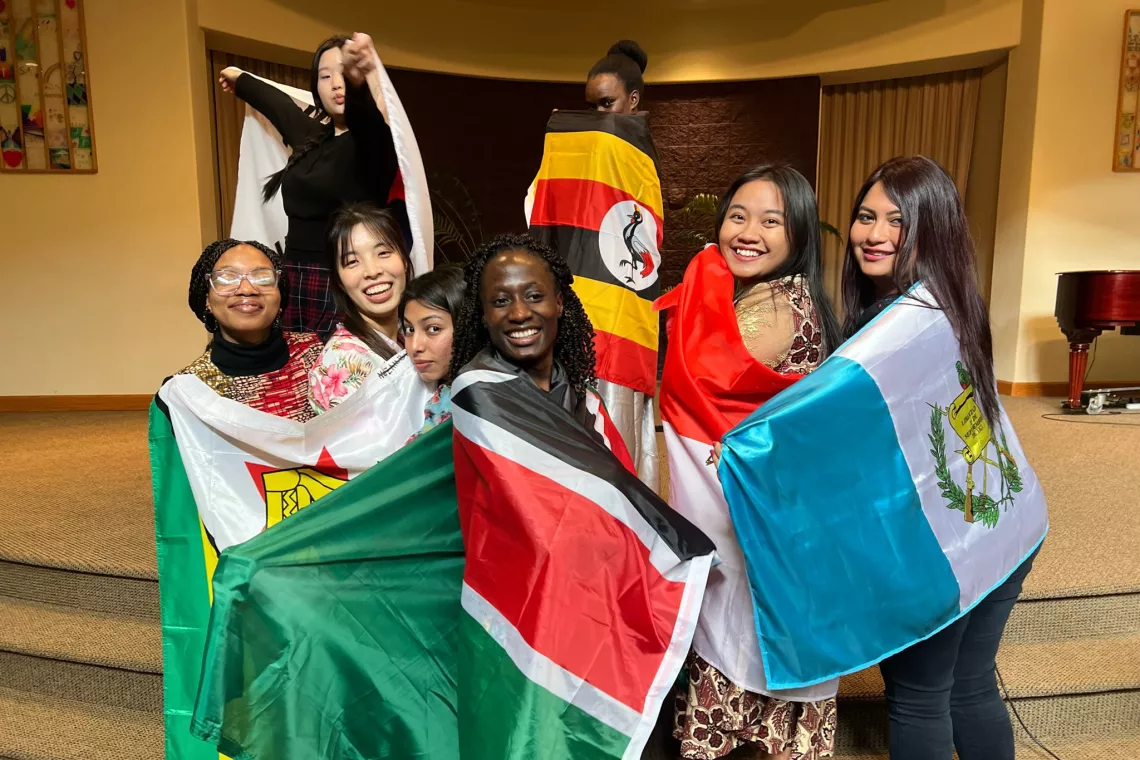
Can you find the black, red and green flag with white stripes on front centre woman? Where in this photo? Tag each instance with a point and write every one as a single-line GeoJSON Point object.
{"type": "Point", "coordinates": [582, 587]}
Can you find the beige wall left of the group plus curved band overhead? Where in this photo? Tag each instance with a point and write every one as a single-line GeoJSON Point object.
{"type": "Point", "coordinates": [101, 263]}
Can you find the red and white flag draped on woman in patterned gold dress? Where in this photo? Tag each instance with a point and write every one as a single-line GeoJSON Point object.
{"type": "Point", "coordinates": [711, 383]}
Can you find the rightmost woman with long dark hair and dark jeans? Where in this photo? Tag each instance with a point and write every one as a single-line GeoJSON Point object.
{"type": "Point", "coordinates": [909, 227]}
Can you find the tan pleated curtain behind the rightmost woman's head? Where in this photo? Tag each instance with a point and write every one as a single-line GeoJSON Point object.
{"type": "Point", "coordinates": [862, 126]}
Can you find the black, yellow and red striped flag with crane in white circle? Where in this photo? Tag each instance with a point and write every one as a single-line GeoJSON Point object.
{"type": "Point", "coordinates": [598, 201]}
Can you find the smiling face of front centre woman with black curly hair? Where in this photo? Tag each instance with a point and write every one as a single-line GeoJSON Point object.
{"type": "Point", "coordinates": [522, 310]}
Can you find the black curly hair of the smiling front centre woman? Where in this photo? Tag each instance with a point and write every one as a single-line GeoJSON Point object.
{"type": "Point", "coordinates": [574, 348]}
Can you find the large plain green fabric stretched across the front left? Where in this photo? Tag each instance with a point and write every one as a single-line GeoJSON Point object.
{"type": "Point", "coordinates": [335, 633]}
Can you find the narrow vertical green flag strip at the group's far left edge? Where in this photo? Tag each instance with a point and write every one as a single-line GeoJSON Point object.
{"type": "Point", "coordinates": [183, 589]}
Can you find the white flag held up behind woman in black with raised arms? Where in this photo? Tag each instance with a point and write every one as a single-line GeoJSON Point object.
{"type": "Point", "coordinates": [263, 154]}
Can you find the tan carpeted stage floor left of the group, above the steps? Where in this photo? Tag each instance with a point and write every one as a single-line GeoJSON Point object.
{"type": "Point", "coordinates": [78, 493]}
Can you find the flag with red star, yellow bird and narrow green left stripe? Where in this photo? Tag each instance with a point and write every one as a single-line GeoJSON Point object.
{"type": "Point", "coordinates": [223, 473]}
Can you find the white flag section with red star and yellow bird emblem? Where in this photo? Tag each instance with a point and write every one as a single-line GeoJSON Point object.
{"type": "Point", "coordinates": [250, 470]}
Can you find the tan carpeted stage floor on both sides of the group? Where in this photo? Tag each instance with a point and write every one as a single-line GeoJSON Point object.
{"type": "Point", "coordinates": [88, 475]}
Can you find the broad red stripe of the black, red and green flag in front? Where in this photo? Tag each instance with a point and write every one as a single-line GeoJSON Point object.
{"type": "Point", "coordinates": [576, 584]}
